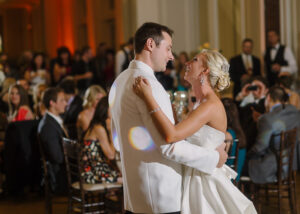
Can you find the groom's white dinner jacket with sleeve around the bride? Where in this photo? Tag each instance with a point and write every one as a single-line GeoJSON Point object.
{"type": "Point", "coordinates": [151, 173]}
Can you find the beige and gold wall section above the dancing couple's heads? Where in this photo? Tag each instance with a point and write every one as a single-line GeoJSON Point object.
{"type": "Point", "coordinates": [221, 23]}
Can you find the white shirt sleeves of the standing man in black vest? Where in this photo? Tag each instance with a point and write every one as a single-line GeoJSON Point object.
{"type": "Point", "coordinates": [288, 56]}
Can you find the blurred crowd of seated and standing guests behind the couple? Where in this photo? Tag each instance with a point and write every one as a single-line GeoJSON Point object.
{"type": "Point", "coordinates": [69, 94]}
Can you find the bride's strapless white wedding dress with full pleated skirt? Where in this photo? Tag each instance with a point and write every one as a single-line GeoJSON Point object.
{"type": "Point", "coordinates": [215, 193]}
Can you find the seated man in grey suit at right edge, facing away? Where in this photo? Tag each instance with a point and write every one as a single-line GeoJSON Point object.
{"type": "Point", "coordinates": [279, 117]}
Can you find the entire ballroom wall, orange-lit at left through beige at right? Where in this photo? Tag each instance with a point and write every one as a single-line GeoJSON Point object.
{"type": "Point", "coordinates": [46, 24]}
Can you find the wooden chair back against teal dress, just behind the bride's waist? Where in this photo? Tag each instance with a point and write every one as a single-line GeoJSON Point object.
{"type": "Point", "coordinates": [232, 148]}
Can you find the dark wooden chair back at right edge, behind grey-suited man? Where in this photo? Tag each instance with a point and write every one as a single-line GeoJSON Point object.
{"type": "Point", "coordinates": [285, 156]}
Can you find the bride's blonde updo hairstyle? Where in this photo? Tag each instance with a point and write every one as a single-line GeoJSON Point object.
{"type": "Point", "coordinates": [219, 69]}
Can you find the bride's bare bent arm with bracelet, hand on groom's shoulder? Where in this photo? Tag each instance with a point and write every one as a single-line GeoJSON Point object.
{"type": "Point", "coordinates": [170, 132]}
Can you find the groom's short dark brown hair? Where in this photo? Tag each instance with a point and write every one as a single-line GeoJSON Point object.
{"type": "Point", "coordinates": [149, 30]}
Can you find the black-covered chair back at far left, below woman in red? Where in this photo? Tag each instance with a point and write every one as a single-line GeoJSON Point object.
{"type": "Point", "coordinates": [21, 158]}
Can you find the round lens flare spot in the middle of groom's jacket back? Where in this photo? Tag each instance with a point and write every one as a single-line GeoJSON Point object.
{"type": "Point", "coordinates": [140, 139]}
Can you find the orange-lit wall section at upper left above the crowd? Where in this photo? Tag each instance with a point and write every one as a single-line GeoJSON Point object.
{"type": "Point", "coordinates": [43, 25]}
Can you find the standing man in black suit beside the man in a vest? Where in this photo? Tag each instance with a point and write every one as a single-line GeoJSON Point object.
{"type": "Point", "coordinates": [244, 66]}
